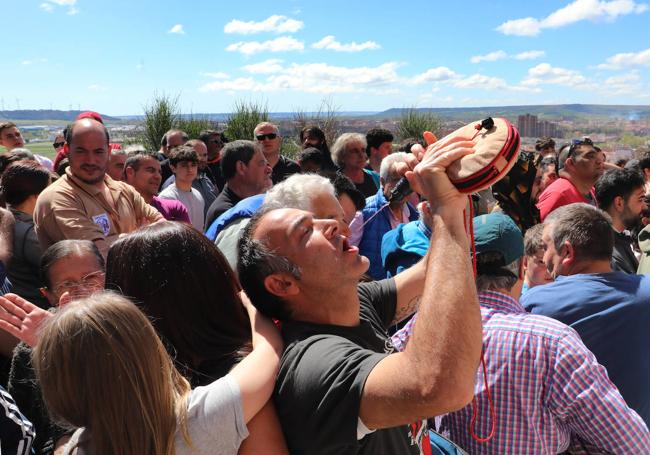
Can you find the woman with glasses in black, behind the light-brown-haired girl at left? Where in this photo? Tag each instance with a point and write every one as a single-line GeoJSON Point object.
{"type": "Point", "coordinates": [70, 269]}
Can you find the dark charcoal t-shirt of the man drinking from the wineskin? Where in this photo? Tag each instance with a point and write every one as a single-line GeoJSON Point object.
{"type": "Point", "coordinates": [322, 374]}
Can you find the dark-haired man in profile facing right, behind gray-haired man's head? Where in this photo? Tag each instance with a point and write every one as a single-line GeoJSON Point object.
{"type": "Point", "coordinates": [247, 173]}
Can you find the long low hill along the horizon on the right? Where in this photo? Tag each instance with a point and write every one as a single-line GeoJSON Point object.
{"type": "Point", "coordinates": [556, 112]}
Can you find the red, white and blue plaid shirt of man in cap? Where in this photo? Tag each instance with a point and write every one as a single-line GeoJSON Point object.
{"type": "Point", "coordinates": [548, 390]}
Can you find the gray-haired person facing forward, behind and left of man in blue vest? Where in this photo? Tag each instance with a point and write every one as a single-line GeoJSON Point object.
{"type": "Point", "coordinates": [349, 154]}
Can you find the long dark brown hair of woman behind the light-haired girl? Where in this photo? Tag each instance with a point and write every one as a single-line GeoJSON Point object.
{"type": "Point", "coordinates": [185, 285]}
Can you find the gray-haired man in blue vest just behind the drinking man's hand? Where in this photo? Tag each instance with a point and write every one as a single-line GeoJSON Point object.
{"type": "Point", "coordinates": [368, 229]}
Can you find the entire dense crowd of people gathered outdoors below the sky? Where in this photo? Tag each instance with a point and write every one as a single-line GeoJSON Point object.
{"type": "Point", "coordinates": [215, 296]}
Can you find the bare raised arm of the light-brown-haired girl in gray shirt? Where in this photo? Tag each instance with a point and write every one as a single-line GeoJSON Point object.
{"type": "Point", "coordinates": [256, 374]}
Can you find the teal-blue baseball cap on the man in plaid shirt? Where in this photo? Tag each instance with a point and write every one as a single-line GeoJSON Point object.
{"type": "Point", "coordinates": [498, 233]}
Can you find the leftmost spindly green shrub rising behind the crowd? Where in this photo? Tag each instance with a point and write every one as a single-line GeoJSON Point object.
{"type": "Point", "coordinates": [160, 116]}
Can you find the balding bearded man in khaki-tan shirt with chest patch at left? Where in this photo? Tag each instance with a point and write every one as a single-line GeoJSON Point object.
{"type": "Point", "coordinates": [86, 203]}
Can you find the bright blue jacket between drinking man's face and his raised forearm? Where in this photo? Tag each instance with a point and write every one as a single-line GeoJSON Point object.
{"type": "Point", "coordinates": [404, 246]}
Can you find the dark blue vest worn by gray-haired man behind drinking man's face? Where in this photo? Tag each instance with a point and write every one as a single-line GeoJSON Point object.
{"type": "Point", "coordinates": [373, 232]}
